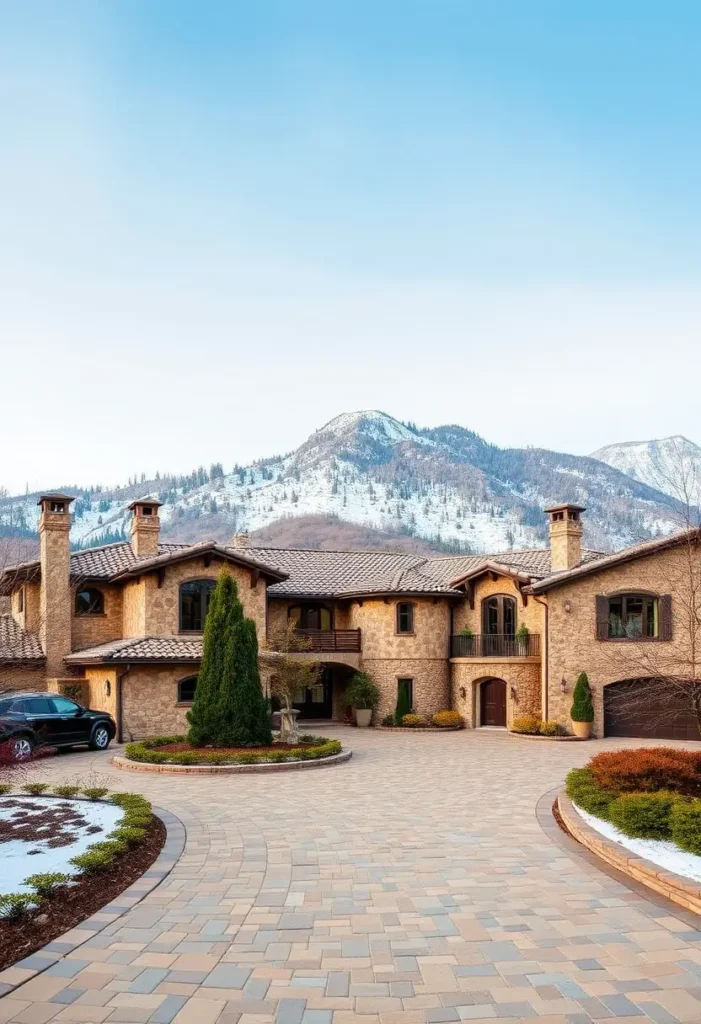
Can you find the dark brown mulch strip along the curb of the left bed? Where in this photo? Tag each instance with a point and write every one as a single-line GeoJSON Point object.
{"type": "Point", "coordinates": [72, 905]}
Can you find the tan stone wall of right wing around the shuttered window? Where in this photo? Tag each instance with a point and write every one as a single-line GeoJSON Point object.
{"type": "Point", "coordinates": [574, 644]}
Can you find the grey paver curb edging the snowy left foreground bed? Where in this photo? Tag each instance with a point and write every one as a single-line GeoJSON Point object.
{"type": "Point", "coordinates": [42, 960]}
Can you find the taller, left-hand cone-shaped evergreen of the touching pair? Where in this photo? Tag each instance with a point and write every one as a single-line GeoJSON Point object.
{"type": "Point", "coordinates": [226, 613]}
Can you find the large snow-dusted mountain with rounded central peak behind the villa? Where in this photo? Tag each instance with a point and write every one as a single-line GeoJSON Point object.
{"type": "Point", "coordinates": [446, 485]}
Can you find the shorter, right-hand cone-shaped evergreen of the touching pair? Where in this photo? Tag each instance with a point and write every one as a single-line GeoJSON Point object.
{"type": "Point", "coordinates": [244, 715]}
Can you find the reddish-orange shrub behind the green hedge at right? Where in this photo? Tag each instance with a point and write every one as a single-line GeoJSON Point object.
{"type": "Point", "coordinates": [649, 771]}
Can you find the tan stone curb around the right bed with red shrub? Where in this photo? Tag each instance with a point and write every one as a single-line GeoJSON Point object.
{"type": "Point", "coordinates": [675, 887]}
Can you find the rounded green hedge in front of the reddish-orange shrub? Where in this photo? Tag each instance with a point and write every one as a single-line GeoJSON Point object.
{"type": "Point", "coordinates": [640, 816]}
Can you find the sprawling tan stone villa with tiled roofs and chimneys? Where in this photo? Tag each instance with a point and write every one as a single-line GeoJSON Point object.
{"type": "Point", "coordinates": [493, 636]}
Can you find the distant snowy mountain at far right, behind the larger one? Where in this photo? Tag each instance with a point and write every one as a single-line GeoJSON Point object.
{"type": "Point", "coordinates": [664, 464]}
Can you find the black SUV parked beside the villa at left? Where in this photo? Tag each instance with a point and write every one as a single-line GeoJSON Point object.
{"type": "Point", "coordinates": [29, 720]}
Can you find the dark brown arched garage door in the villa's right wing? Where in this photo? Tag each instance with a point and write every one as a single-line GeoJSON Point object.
{"type": "Point", "coordinates": [635, 708]}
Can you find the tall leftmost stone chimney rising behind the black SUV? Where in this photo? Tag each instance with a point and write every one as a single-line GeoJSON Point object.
{"type": "Point", "coordinates": [56, 599]}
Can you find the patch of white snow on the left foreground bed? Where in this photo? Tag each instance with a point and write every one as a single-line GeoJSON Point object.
{"type": "Point", "coordinates": [16, 865]}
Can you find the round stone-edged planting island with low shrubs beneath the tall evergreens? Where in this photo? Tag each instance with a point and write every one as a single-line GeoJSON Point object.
{"type": "Point", "coordinates": [174, 754]}
